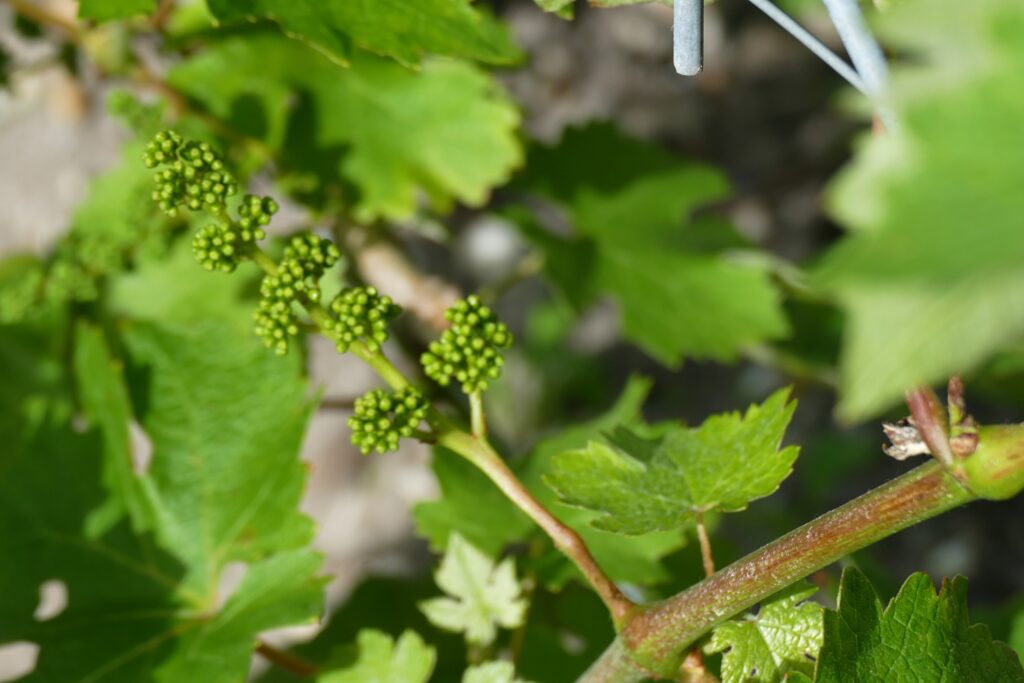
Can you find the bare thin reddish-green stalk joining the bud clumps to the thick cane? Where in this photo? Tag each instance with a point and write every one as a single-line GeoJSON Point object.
{"type": "Point", "coordinates": [481, 454]}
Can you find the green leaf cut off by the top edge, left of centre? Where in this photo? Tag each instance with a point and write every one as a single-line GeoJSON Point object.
{"type": "Point", "coordinates": [405, 30]}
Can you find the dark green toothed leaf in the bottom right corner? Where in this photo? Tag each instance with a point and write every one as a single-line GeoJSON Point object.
{"type": "Point", "coordinates": [920, 636]}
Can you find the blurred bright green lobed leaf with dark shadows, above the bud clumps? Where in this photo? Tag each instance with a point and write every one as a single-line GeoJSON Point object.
{"type": "Point", "coordinates": [447, 133]}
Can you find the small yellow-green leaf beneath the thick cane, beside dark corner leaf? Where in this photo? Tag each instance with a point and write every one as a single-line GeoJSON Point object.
{"type": "Point", "coordinates": [784, 636]}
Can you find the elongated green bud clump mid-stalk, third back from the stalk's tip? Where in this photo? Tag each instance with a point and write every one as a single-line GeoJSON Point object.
{"type": "Point", "coordinates": [296, 280]}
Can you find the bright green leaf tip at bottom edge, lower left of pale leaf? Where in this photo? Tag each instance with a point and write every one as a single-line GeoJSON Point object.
{"type": "Point", "coordinates": [376, 658]}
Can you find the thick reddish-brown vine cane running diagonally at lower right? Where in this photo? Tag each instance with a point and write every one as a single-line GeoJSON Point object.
{"type": "Point", "coordinates": [659, 635]}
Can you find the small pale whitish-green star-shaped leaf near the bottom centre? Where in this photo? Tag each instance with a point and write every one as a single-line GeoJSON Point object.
{"type": "Point", "coordinates": [483, 596]}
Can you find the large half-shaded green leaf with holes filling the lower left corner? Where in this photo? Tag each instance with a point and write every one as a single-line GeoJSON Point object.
{"type": "Point", "coordinates": [143, 572]}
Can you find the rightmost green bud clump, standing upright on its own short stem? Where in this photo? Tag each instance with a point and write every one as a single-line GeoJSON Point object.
{"type": "Point", "coordinates": [471, 351]}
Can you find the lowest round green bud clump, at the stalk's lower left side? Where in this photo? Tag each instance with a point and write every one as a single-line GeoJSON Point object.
{"type": "Point", "coordinates": [382, 419]}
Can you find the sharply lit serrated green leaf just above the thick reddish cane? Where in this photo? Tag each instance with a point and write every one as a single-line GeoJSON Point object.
{"type": "Point", "coordinates": [722, 465]}
